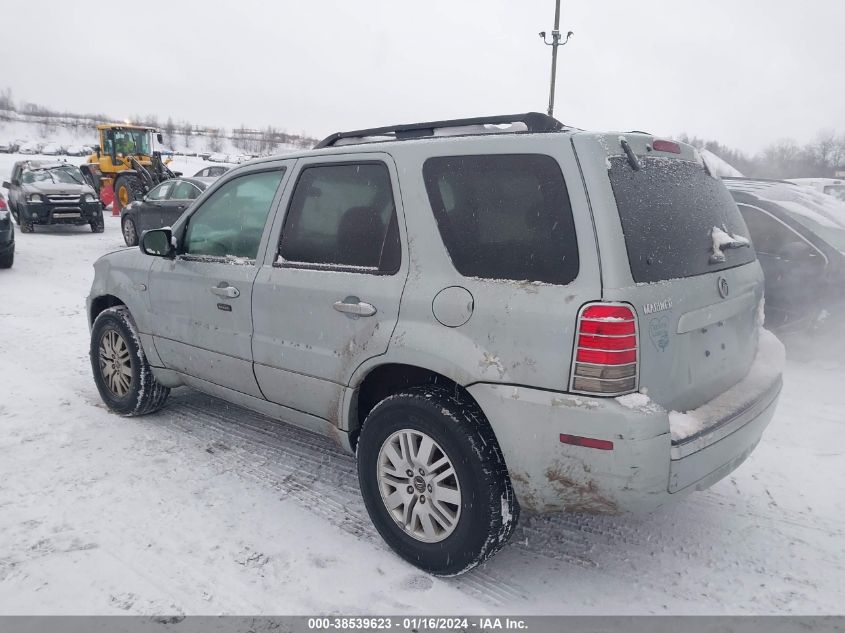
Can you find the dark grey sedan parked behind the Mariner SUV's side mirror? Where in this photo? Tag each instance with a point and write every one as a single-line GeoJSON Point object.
{"type": "Point", "coordinates": [162, 206]}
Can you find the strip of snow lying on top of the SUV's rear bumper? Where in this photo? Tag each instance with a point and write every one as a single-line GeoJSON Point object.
{"type": "Point", "coordinates": [767, 366]}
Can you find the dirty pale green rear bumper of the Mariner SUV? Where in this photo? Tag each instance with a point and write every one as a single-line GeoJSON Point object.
{"type": "Point", "coordinates": [642, 471]}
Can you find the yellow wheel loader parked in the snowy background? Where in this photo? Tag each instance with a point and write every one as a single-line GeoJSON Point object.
{"type": "Point", "coordinates": [124, 166]}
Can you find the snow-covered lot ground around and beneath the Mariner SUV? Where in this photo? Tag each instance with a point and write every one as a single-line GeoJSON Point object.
{"type": "Point", "coordinates": [205, 508]}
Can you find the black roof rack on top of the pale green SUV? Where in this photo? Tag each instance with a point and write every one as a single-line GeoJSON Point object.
{"type": "Point", "coordinates": [534, 122]}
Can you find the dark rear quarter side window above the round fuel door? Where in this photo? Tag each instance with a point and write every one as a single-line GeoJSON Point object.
{"type": "Point", "coordinates": [504, 216]}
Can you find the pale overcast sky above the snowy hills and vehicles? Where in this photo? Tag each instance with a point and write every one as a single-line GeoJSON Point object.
{"type": "Point", "coordinates": [746, 72]}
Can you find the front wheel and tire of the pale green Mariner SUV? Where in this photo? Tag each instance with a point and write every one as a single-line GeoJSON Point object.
{"type": "Point", "coordinates": [123, 376]}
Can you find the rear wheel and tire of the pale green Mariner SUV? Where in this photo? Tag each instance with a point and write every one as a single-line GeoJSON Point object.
{"type": "Point", "coordinates": [455, 531]}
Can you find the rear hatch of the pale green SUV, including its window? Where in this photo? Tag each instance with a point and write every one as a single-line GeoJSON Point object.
{"type": "Point", "coordinates": [674, 246]}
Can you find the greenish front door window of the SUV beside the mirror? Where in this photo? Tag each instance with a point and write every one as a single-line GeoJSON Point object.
{"type": "Point", "coordinates": [231, 221]}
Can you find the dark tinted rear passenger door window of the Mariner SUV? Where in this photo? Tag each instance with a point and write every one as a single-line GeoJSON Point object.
{"type": "Point", "coordinates": [342, 216]}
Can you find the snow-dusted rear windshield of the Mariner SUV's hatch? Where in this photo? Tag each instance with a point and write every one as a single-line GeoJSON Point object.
{"type": "Point", "coordinates": [669, 208]}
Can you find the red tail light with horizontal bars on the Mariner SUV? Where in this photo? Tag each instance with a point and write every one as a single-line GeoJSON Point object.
{"type": "Point", "coordinates": [606, 350]}
